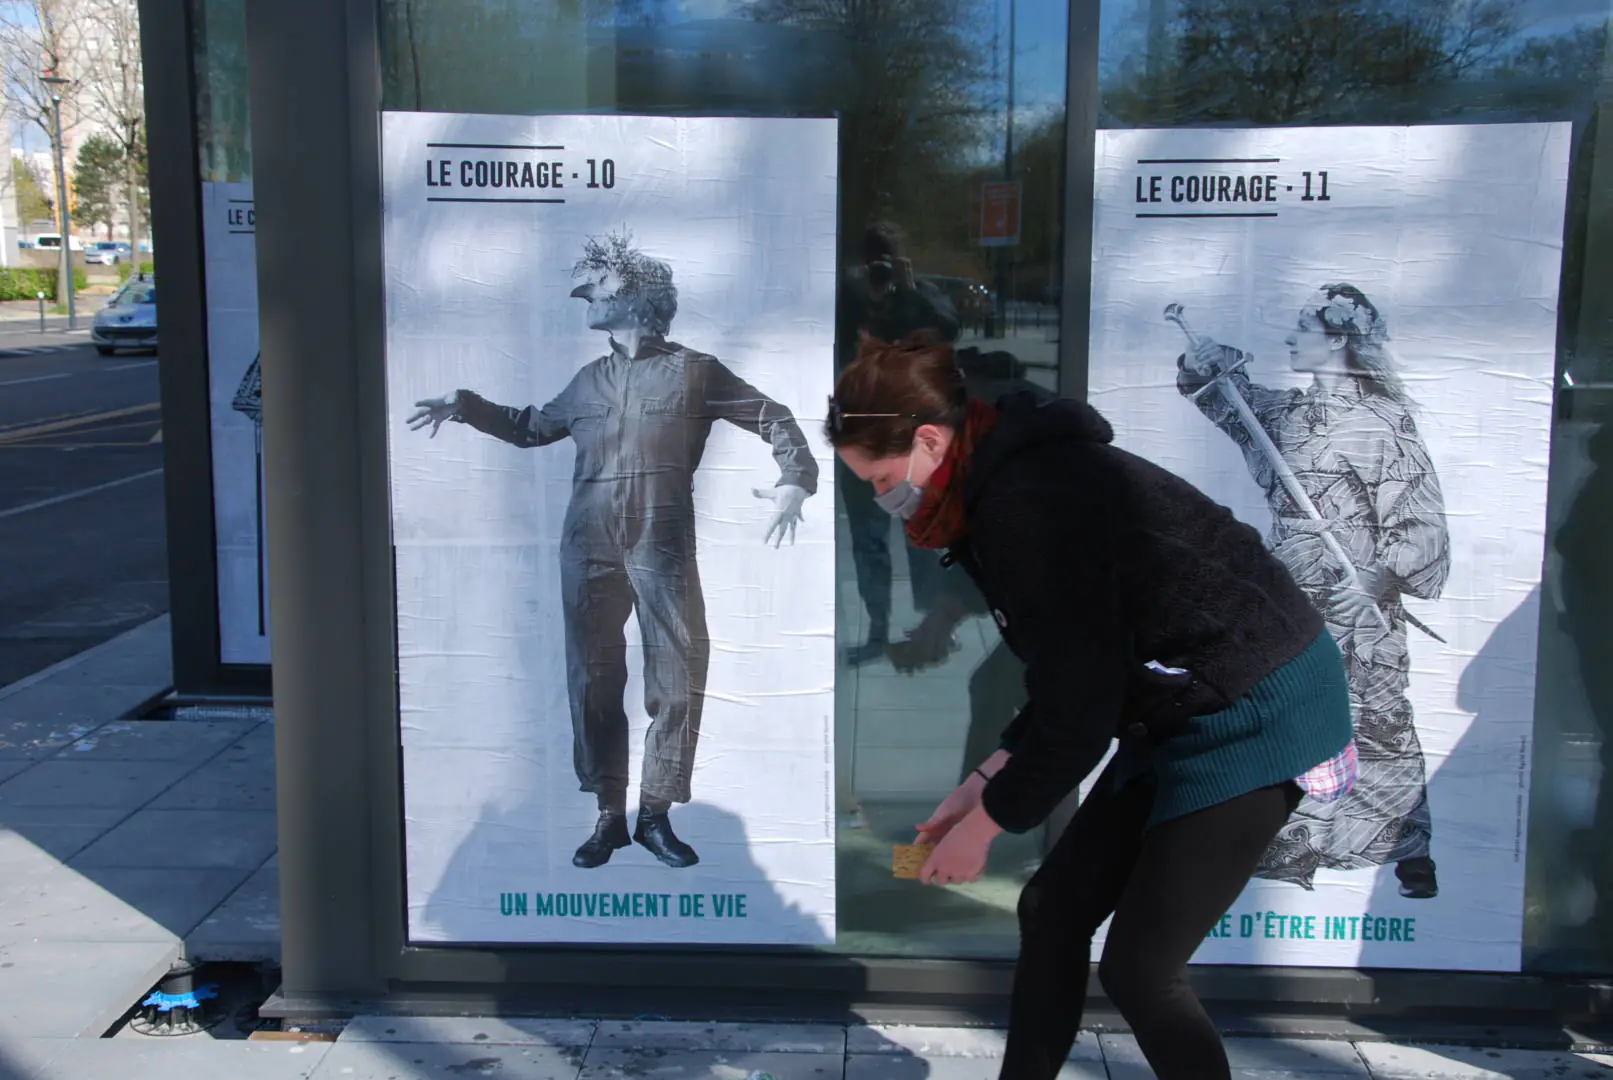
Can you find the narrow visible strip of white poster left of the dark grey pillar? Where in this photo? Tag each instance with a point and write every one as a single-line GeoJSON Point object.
{"type": "Point", "coordinates": [228, 236]}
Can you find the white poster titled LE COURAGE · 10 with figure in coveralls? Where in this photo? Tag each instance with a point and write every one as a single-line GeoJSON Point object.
{"type": "Point", "coordinates": [609, 352]}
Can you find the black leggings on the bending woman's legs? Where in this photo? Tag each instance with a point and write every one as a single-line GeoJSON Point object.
{"type": "Point", "coordinates": [1167, 889]}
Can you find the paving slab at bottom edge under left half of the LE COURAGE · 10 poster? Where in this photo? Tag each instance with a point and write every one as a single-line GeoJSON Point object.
{"type": "Point", "coordinates": [449, 1061]}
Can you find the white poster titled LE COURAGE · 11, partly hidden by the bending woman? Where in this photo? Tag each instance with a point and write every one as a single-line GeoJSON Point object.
{"type": "Point", "coordinates": [1348, 336]}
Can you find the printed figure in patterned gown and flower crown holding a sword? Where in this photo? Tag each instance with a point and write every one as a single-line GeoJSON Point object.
{"type": "Point", "coordinates": [1354, 447]}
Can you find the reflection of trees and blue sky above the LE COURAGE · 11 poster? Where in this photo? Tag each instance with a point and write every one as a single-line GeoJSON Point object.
{"type": "Point", "coordinates": [1272, 62]}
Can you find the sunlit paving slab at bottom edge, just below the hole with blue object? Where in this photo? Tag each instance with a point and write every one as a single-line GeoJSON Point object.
{"type": "Point", "coordinates": [190, 1058]}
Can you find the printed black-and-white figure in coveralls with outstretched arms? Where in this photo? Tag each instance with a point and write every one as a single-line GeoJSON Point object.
{"type": "Point", "coordinates": [640, 418]}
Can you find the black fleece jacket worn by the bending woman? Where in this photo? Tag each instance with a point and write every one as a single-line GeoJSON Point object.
{"type": "Point", "coordinates": [1094, 563]}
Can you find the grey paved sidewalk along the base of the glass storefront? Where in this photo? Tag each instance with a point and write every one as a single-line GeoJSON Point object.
{"type": "Point", "coordinates": [130, 844]}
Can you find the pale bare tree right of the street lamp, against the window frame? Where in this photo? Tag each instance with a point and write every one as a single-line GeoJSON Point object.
{"type": "Point", "coordinates": [115, 93]}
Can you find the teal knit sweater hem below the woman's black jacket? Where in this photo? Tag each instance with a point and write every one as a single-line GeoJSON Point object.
{"type": "Point", "coordinates": [1291, 721]}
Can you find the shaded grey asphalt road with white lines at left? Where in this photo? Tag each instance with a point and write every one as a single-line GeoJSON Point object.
{"type": "Point", "coordinates": [81, 499]}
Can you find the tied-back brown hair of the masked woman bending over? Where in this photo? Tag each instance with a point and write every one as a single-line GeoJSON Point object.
{"type": "Point", "coordinates": [891, 391]}
